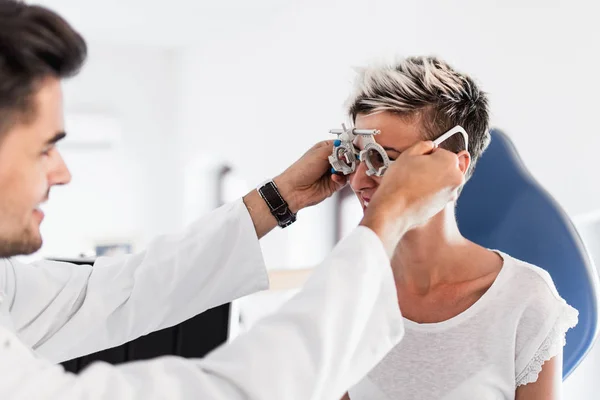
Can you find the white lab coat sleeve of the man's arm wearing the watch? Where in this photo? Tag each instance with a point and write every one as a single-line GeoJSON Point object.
{"type": "Point", "coordinates": [64, 311]}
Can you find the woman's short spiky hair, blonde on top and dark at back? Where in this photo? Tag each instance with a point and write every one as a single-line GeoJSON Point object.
{"type": "Point", "coordinates": [427, 88]}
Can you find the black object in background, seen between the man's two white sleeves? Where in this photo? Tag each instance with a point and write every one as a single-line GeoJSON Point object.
{"type": "Point", "coordinates": [193, 338]}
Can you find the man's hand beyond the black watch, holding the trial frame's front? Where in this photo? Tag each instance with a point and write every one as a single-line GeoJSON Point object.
{"type": "Point", "coordinates": [308, 181]}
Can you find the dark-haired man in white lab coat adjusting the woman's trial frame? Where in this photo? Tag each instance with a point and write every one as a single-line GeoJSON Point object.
{"type": "Point", "coordinates": [318, 344]}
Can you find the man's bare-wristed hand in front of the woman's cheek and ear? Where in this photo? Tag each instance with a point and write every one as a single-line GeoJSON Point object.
{"type": "Point", "coordinates": [418, 185]}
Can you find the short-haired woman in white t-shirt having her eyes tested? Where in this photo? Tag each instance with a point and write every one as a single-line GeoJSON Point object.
{"type": "Point", "coordinates": [480, 324]}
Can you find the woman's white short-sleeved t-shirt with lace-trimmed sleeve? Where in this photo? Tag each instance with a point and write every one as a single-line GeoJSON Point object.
{"type": "Point", "coordinates": [484, 353]}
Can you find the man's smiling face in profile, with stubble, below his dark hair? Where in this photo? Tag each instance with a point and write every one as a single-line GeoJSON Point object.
{"type": "Point", "coordinates": [30, 165]}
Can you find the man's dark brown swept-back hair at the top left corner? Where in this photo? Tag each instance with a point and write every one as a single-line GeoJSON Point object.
{"type": "Point", "coordinates": [35, 43]}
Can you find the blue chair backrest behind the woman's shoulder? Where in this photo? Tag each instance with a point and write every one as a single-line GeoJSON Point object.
{"type": "Point", "coordinates": [503, 207]}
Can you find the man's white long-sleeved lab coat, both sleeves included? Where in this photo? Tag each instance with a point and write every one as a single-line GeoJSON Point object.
{"type": "Point", "coordinates": [315, 347]}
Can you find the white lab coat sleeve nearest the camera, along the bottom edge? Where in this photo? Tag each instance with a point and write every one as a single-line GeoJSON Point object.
{"type": "Point", "coordinates": [316, 346]}
